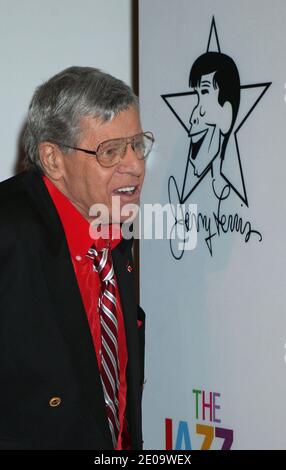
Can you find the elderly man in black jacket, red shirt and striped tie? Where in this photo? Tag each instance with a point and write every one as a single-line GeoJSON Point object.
{"type": "Point", "coordinates": [72, 336]}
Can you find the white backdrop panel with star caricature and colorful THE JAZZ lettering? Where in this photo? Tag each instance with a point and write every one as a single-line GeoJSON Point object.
{"type": "Point", "coordinates": [216, 327]}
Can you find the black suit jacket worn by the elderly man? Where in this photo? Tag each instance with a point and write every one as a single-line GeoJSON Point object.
{"type": "Point", "coordinates": [46, 348]}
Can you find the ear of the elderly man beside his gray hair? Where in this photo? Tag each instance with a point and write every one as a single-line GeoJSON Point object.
{"type": "Point", "coordinates": [52, 160]}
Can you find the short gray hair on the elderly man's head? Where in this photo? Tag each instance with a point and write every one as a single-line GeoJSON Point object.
{"type": "Point", "coordinates": [59, 104]}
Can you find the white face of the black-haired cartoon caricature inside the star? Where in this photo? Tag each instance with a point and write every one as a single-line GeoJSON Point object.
{"type": "Point", "coordinates": [209, 123]}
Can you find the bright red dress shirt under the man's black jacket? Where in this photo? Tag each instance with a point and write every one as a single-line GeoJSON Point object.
{"type": "Point", "coordinates": [76, 229]}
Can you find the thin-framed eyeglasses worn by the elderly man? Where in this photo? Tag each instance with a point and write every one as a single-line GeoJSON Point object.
{"type": "Point", "coordinates": [110, 152]}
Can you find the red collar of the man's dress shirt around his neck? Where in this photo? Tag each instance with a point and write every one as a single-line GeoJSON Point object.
{"type": "Point", "coordinates": [76, 227]}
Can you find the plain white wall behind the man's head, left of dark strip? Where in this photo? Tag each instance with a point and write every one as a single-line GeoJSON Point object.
{"type": "Point", "coordinates": [39, 38]}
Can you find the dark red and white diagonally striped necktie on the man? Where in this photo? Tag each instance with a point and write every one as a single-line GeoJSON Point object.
{"type": "Point", "coordinates": [109, 368]}
